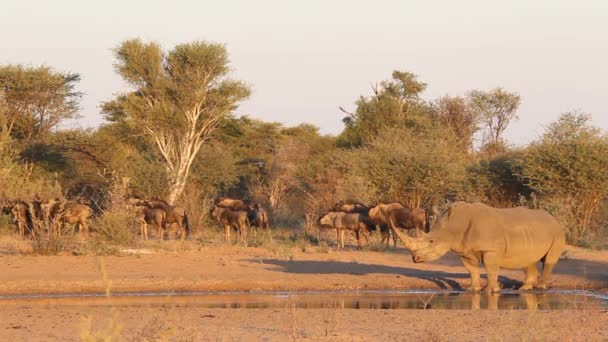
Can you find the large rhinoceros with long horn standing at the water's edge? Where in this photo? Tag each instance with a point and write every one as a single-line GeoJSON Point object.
{"type": "Point", "coordinates": [510, 238]}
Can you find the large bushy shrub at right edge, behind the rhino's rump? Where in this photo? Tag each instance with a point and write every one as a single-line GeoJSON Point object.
{"type": "Point", "coordinates": [569, 169]}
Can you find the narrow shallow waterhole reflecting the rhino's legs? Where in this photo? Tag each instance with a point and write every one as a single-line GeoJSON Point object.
{"type": "Point", "coordinates": [410, 299]}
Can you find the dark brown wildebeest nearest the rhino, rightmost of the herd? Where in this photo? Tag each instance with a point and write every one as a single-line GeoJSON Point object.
{"type": "Point", "coordinates": [396, 215]}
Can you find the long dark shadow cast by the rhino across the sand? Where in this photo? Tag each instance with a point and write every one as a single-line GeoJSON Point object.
{"type": "Point", "coordinates": [443, 280]}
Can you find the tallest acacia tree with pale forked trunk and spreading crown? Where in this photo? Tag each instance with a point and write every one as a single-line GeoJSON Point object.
{"type": "Point", "coordinates": [179, 99]}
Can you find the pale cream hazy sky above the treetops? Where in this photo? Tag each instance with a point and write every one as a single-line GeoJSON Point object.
{"type": "Point", "coordinates": [304, 59]}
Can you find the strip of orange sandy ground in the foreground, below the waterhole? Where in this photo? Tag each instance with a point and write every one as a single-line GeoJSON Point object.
{"type": "Point", "coordinates": [183, 323]}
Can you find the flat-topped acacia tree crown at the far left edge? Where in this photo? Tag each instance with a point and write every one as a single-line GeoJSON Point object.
{"type": "Point", "coordinates": [36, 100]}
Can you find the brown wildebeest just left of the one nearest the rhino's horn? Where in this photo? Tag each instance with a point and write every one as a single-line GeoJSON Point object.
{"type": "Point", "coordinates": [342, 221]}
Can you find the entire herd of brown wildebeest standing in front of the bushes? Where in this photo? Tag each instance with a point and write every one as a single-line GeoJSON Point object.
{"type": "Point", "coordinates": [38, 215]}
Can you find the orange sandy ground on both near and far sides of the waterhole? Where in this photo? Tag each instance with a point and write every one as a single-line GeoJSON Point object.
{"type": "Point", "coordinates": [254, 269]}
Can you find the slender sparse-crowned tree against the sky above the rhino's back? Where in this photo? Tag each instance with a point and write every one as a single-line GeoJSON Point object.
{"type": "Point", "coordinates": [496, 109]}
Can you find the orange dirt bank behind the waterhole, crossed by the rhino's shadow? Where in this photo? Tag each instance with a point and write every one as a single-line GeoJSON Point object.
{"type": "Point", "coordinates": [255, 269]}
